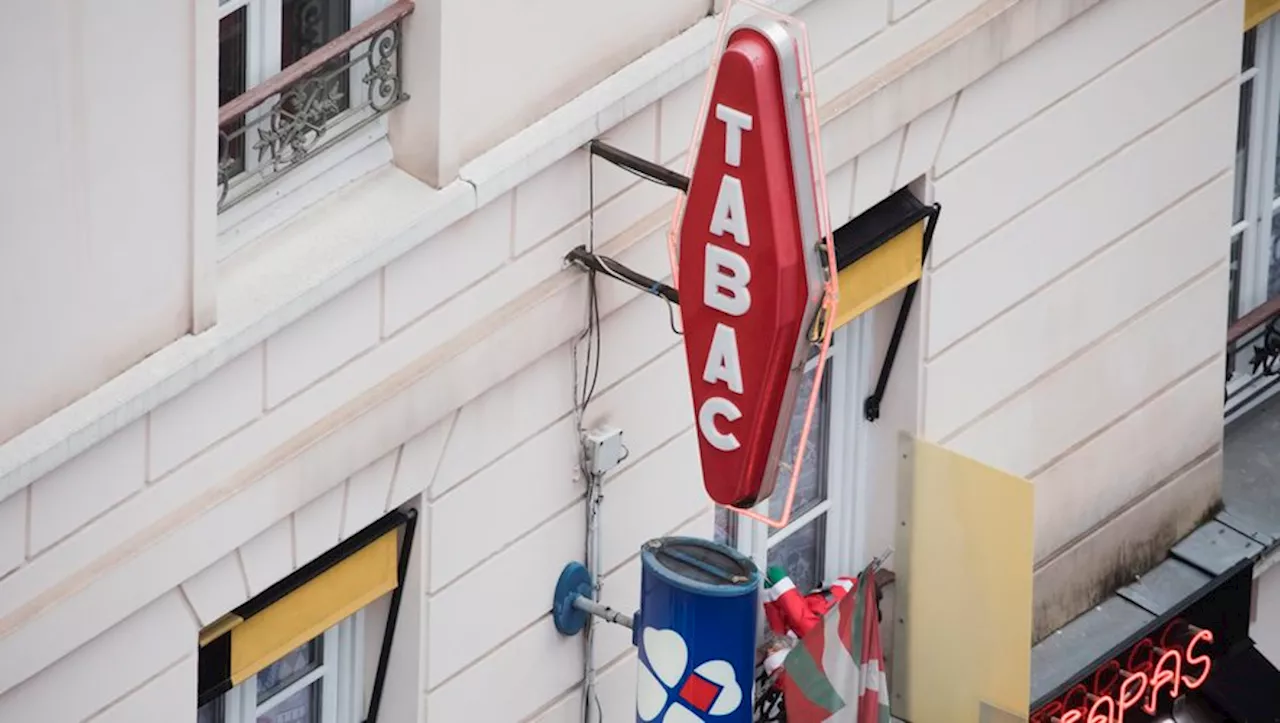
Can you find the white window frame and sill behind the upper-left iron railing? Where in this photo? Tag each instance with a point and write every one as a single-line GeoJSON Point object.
{"type": "Point", "coordinates": [262, 211]}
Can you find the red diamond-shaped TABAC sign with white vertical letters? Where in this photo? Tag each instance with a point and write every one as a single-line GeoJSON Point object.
{"type": "Point", "coordinates": [749, 274]}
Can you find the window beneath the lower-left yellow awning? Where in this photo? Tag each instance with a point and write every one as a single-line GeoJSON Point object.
{"type": "Point", "coordinates": [322, 681]}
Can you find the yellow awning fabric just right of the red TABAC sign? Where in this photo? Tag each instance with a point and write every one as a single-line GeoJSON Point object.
{"type": "Point", "coordinates": [881, 274]}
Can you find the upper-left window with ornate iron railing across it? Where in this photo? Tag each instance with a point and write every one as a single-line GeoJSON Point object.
{"type": "Point", "coordinates": [298, 77]}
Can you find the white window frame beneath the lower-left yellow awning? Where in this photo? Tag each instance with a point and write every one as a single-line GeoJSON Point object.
{"type": "Point", "coordinates": [342, 671]}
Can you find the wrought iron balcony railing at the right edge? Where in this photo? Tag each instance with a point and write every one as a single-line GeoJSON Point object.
{"type": "Point", "coordinates": [1252, 359]}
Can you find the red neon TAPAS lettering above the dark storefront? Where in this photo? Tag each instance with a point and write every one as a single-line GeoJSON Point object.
{"type": "Point", "coordinates": [1154, 672]}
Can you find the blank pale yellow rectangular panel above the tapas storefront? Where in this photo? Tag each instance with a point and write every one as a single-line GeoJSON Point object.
{"type": "Point", "coordinates": [963, 637]}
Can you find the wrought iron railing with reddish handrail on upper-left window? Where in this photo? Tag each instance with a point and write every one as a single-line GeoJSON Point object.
{"type": "Point", "coordinates": [313, 104]}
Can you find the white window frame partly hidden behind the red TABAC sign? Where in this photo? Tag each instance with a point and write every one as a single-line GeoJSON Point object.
{"type": "Point", "coordinates": [847, 498]}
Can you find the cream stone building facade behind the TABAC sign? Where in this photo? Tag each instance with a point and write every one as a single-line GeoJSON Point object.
{"type": "Point", "coordinates": [330, 303]}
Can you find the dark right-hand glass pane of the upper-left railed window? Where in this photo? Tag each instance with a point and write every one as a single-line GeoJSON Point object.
{"type": "Point", "coordinates": [307, 26]}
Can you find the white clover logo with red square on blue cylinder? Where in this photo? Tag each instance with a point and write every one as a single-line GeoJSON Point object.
{"type": "Point", "coordinates": [665, 690]}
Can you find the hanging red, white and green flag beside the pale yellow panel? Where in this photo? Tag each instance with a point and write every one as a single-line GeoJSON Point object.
{"type": "Point", "coordinates": [836, 674]}
